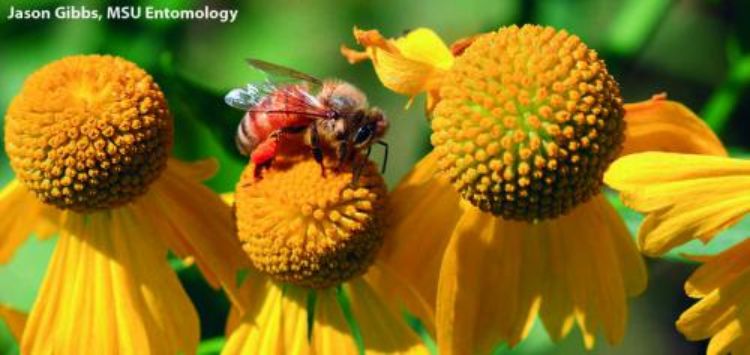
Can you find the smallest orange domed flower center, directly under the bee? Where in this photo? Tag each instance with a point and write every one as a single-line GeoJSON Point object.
{"type": "Point", "coordinates": [307, 229]}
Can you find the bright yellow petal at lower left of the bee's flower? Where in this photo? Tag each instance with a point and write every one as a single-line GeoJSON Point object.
{"type": "Point", "coordinates": [277, 326]}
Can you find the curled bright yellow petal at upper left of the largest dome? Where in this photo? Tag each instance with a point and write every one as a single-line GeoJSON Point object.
{"type": "Point", "coordinates": [408, 65]}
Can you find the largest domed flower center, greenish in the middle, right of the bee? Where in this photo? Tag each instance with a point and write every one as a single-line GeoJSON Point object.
{"type": "Point", "coordinates": [529, 119]}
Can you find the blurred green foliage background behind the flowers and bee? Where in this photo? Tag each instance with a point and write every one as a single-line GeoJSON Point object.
{"type": "Point", "coordinates": [697, 51]}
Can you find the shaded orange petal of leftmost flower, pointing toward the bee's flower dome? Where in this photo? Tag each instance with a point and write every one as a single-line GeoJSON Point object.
{"type": "Point", "coordinates": [195, 222]}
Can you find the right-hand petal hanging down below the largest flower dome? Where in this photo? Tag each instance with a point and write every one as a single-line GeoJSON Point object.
{"type": "Point", "coordinates": [600, 266]}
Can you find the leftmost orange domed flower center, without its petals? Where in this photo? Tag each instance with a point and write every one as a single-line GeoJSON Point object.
{"type": "Point", "coordinates": [88, 132]}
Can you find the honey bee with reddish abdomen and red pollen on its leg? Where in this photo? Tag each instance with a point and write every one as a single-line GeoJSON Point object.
{"type": "Point", "coordinates": [291, 107]}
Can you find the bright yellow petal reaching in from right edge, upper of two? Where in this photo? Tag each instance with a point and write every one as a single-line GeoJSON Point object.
{"type": "Point", "coordinates": [684, 196]}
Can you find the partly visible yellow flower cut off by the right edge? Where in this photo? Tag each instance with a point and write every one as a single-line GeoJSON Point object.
{"type": "Point", "coordinates": [694, 196]}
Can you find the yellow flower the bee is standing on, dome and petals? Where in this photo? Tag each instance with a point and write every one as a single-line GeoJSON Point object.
{"type": "Point", "coordinates": [312, 240]}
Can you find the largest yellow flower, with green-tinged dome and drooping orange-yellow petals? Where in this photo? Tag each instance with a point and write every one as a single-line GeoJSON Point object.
{"type": "Point", "coordinates": [507, 211]}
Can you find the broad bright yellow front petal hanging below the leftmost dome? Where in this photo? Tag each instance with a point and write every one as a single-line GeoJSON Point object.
{"type": "Point", "coordinates": [108, 289]}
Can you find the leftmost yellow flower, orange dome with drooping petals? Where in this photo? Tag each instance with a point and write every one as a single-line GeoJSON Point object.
{"type": "Point", "coordinates": [88, 138]}
